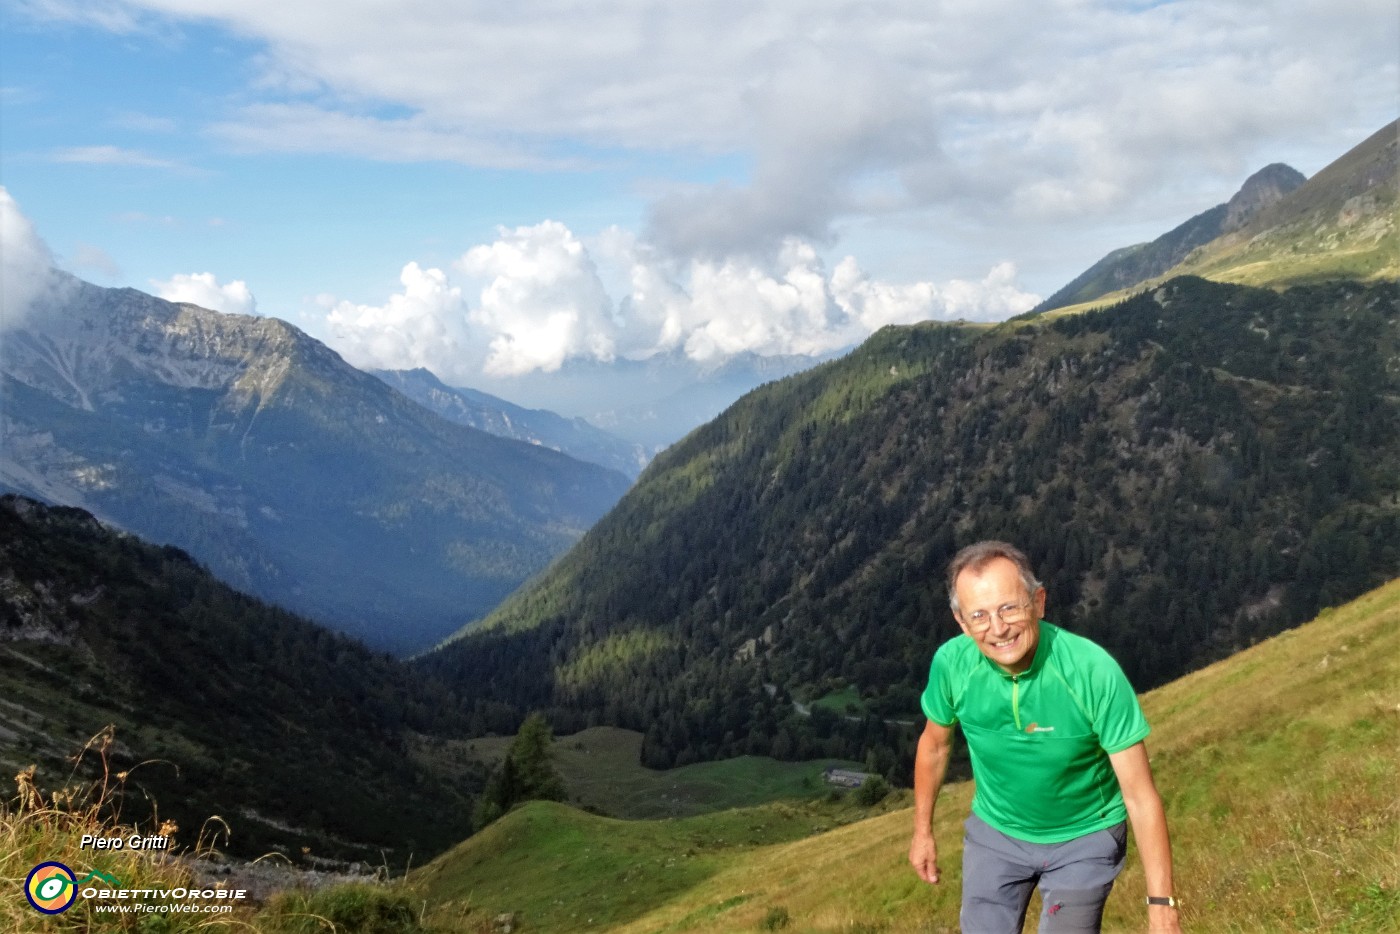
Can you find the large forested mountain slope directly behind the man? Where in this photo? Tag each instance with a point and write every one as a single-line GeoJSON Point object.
{"type": "Point", "coordinates": [1191, 471]}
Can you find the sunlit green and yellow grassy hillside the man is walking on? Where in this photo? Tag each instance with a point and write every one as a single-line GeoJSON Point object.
{"type": "Point", "coordinates": [1277, 768]}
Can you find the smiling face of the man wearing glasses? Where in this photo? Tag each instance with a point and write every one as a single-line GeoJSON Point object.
{"type": "Point", "coordinates": [993, 586]}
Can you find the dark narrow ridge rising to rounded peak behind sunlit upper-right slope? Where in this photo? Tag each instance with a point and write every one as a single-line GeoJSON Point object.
{"type": "Point", "coordinates": [1130, 265]}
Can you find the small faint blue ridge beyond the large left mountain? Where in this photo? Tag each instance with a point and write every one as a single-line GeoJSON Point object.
{"type": "Point", "coordinates": [575, 438]}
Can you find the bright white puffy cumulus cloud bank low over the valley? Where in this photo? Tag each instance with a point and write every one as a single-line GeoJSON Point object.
{"type": "Point", "coordinates": [540, 298]}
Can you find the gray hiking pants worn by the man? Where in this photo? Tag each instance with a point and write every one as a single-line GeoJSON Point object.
{"type": "Point", "coordinates": [1074, 877]}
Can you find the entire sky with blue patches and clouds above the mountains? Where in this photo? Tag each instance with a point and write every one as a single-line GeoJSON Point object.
{"type": "Point", "coordinates": [493, 191]}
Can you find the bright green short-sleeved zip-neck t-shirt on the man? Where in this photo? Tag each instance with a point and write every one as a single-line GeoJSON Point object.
{"type": "Point", "coordinates": [1041, 740]}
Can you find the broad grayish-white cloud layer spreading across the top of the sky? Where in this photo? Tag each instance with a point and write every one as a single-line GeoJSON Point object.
{"type": "Point", "coordinates": [1011, 113]}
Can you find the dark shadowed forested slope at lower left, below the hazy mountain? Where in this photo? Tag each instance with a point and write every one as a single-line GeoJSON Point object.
{"type": "Point", "coordinates": [223, 706]}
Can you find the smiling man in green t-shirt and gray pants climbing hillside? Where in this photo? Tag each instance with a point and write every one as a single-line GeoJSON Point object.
{"type": "Point", "coordinates": [1056, 740]}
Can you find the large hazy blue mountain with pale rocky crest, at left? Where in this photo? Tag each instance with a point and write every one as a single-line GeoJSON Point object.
{"type": "Point", "coordinates": [286, 471]}
